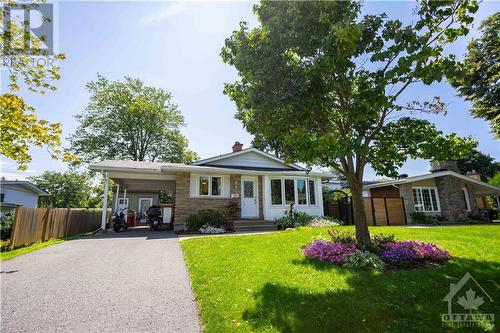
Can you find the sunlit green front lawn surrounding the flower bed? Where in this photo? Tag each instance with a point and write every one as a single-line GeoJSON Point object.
{"type": "Point", "coordinates": [262, 283]}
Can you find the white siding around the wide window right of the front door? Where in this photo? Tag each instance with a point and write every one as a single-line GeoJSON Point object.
{"type": "Point", "coordinates": [272, 212]}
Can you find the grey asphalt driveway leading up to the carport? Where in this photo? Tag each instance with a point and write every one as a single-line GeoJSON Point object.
{"type": "Point", "coordinates": [134, 281]}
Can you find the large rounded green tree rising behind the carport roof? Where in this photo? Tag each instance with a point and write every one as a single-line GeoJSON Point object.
{"type": "Point", "coordinates": [129, 120]}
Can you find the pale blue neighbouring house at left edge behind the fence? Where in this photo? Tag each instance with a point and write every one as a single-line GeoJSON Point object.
{"type": "Point", "coordinates": [18, 193]}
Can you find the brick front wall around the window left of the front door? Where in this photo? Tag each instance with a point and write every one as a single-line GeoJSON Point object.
{"type": "Point", "coordinates": [186, 205]}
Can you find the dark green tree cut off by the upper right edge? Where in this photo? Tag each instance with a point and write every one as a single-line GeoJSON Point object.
{"type": "Point", "coordinates": [478, 77]}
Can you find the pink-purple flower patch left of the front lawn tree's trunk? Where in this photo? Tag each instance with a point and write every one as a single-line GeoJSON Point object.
{"type": "Point", "coordinates": [327, 251]}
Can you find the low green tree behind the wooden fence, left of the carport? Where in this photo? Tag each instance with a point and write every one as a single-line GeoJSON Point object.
{"type": "Point", "coordinates": [67, 190]}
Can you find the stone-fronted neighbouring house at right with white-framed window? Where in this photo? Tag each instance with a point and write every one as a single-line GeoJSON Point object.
{"type": "Point", "coordinates": [444, 192]}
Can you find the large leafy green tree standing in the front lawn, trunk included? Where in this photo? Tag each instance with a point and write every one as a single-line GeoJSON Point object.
{"type": "Point", "coordinates": [327, 84]}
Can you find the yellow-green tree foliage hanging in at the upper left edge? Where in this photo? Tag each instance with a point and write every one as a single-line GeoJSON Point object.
{"type": "Point", "coordinates": [20, 127]}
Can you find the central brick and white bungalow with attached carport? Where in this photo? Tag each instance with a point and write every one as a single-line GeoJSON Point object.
{"type": "Point", "coordinates": [260, 185]}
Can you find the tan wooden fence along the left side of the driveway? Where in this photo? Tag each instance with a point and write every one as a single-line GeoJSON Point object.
{"type": "Point", "coordinates": [33, 225]}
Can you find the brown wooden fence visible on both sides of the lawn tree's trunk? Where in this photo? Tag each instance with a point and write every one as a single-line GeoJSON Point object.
{"type": "Point", "coordinates": [379, 211]}
